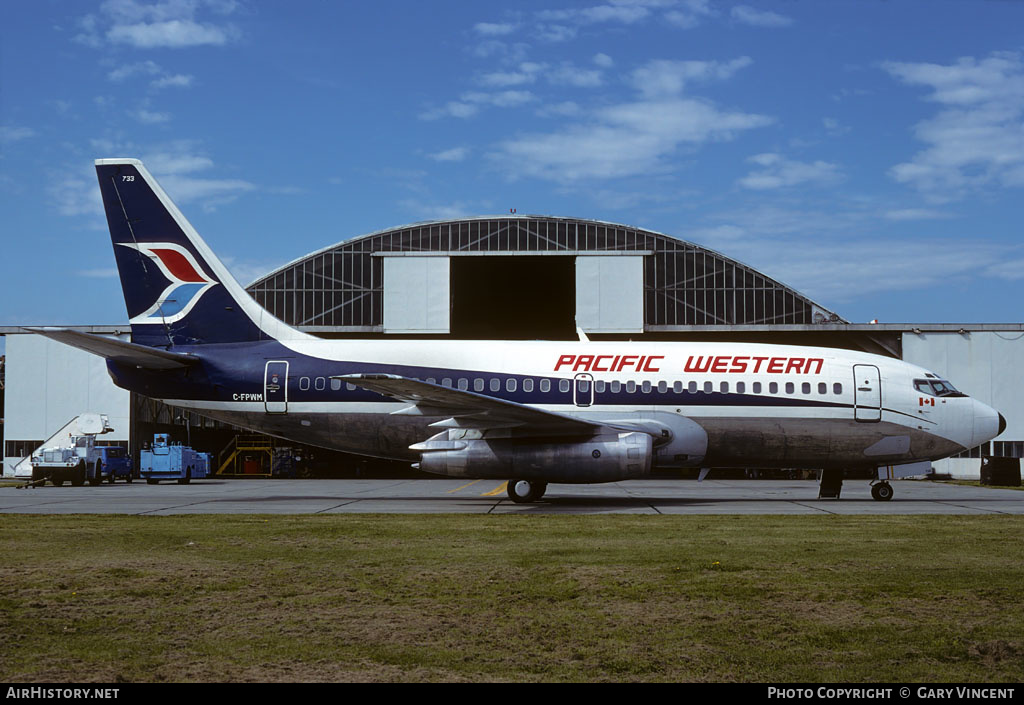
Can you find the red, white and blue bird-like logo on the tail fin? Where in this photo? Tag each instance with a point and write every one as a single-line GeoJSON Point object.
{"type": "Point", "coordinates": [188, 282]}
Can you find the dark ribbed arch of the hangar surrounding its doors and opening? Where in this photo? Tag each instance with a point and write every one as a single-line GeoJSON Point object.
{"type": "Point", "coordinates": [342, 287]}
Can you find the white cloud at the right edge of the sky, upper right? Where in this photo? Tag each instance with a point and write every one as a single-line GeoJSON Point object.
{"type": "Point", "coordinates": [976, 140]}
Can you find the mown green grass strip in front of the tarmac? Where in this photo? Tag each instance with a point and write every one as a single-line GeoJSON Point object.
{"type": "Point", "coordinates": [454, 598]}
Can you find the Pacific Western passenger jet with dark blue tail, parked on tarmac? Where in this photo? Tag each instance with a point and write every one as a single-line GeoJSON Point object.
{"type": "Point", "coordinates": [529, 412]}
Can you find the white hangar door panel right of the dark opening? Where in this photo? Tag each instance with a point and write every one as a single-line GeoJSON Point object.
{"type": "Point", "coordinates": [610, 294]}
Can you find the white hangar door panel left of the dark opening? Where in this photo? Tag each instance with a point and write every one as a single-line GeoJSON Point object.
{"type": "Point", "coordinates": [416, 296]}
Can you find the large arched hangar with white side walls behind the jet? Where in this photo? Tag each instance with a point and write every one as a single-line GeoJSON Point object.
{"type": "Point", "coordinates": [518, 278]}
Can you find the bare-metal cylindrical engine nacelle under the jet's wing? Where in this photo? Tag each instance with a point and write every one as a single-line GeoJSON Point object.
{"type": "Point", "coordinates": [605, 459]}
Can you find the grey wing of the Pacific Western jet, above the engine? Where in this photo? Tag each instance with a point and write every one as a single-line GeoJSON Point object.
{"type": "Point", "coordinates": [471, 410]}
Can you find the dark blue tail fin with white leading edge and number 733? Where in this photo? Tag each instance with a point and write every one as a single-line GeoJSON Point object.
{"type": "Point", "coordinates": [177, 291]}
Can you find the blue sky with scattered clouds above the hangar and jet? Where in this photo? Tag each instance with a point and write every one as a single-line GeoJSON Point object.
{"type": "Point", "coordinates": [869, 154]}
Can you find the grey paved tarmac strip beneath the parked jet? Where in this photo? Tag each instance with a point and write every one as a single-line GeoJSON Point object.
{"type": "Point", "coordinates": [656, 496]}
